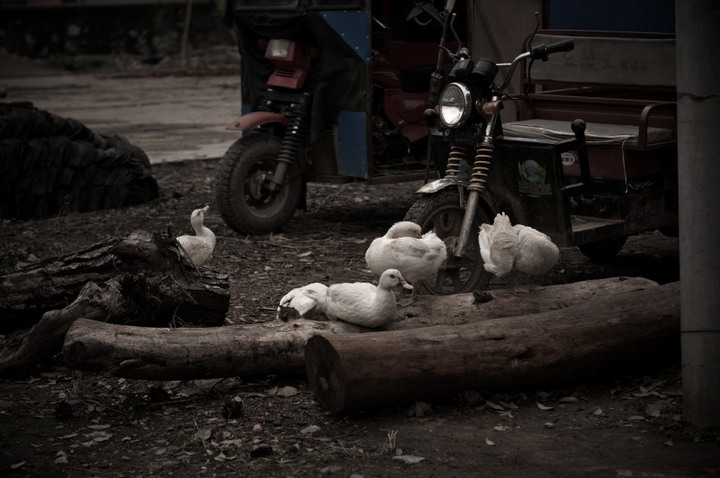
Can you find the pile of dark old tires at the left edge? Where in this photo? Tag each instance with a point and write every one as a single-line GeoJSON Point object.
{"type": "Point", "coordinates": [50, 165]}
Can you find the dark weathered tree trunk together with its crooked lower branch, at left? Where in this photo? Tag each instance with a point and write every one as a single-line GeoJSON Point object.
{"type": "Point", "coordinates": [141, 279]}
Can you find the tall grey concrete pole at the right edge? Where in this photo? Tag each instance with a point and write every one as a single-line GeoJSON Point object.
{"type": "Point", "coordinates": [698, 88]}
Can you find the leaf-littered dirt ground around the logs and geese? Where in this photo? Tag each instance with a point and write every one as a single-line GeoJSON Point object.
{"type": "Point", "coordinates": [62, 422]}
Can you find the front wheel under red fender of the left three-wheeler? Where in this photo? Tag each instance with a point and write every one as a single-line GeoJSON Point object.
{"type": "Point", "coordinates": [245, 197]}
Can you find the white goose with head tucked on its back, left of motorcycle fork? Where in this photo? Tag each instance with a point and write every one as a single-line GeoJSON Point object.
{"type": "Point", "coordinates": [403, 247]}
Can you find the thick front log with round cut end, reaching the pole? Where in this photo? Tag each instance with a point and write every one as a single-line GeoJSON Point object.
{"type": "Point", "coordinates": [350, 372]}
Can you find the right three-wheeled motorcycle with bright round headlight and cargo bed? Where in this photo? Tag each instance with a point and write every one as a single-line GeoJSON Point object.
{"type": "Point", "coordinates": [543, 171]}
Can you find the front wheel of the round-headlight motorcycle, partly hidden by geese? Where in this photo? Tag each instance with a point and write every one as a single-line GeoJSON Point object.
{"type": "Point", "coordinates": [442, 213]}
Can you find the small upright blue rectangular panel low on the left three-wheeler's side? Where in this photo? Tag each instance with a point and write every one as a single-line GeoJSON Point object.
{"type": "Point", "coordinates": [352, 144]}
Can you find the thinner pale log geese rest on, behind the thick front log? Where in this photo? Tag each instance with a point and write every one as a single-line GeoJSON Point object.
{"type": "Point", "coordinates": [279, 347]}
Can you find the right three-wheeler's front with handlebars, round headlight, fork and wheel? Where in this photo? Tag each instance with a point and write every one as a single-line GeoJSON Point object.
{"type": "Point", "coordinates": [467, 118]}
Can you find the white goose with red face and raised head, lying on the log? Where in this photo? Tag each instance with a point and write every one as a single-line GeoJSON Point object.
{"type": "Point", "coordinates": [361, 303]}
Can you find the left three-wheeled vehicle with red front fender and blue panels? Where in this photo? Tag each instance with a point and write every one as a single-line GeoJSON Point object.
{"type": "Point", "coordinates": [323, 103]}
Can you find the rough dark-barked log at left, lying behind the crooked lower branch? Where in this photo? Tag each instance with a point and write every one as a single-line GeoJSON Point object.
{"type": "Point", "coordinates": [152, 259]}
